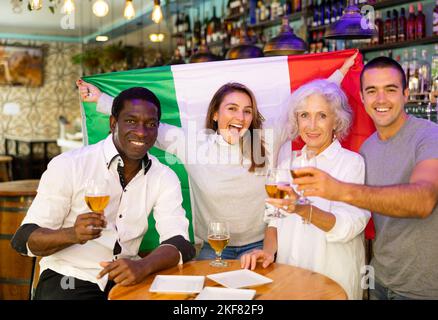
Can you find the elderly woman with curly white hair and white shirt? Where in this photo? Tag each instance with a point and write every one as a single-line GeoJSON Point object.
{"type": "Point", "coordinates": [331, 243]}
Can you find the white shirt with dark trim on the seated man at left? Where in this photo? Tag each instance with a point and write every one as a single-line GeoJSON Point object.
{"type": "Point", "coordinates": [60, 199]}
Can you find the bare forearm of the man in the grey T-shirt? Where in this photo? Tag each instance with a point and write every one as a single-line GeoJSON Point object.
{"type": "Point", "coordinates": [414, 200]}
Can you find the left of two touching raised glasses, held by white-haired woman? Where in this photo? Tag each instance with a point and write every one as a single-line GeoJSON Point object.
{"type": "Point", "coordinates": [274, 178]}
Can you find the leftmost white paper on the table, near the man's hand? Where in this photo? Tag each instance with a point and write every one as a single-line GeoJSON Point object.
{"type": "Point", "coordinates": [177, 284]}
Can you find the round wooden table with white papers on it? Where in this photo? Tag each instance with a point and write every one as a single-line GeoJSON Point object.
{"type": "Point", "coordinates": [290, 283]}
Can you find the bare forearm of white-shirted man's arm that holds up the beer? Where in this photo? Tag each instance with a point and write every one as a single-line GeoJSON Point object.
{"type": "Point", "coordinates": [44, 242]}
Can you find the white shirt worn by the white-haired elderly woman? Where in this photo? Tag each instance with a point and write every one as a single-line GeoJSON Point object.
{"type": "Point", "coordinates": [338, 253]}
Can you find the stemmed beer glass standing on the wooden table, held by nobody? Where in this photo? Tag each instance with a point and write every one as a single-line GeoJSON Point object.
{"type": "Point", "coordinates": [218, 238]}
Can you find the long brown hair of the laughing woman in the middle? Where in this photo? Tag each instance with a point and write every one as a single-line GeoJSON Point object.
{"type": "Point", "coordinates": [254, 129]}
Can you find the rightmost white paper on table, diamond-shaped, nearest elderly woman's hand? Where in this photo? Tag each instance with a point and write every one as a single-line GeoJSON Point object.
{"type": "Point", "coordinates": [239, 279]}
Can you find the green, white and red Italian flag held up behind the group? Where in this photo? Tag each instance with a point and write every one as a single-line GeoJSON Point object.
{"type": "Point", "coordinates": [186, 90]}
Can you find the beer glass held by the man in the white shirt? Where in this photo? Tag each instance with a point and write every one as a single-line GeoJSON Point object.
{"type": "Point", "coordinates": [97, 195]}
